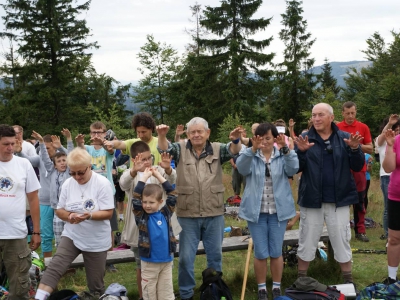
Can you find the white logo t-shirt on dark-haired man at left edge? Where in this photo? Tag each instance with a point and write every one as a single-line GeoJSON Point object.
{"type": "Point", "coordinates": [17, 178]}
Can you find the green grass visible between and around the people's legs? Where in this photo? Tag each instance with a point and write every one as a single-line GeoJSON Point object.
{"type": "Point", "coordinates": [367, 267]}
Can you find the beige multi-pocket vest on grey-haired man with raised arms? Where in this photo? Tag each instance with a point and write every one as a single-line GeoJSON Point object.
{"type": "Point", "coordinates": [199, 184]}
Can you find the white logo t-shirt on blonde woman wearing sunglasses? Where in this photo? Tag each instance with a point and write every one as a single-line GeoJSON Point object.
{"type": "Point", "coordinates": [89, 235]}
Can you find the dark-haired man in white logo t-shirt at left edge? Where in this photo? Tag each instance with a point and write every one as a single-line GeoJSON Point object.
{"type": "Point", "coordinates": [18, 182]}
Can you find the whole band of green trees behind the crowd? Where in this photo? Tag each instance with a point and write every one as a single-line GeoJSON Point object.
{"type": "Point", "coordinates": [225, 76]}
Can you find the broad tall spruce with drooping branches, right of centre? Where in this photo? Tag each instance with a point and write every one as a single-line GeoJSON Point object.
{"type": "Point", "coordinates": [243, 75]}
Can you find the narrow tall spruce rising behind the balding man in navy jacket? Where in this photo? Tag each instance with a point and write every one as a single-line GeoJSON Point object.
{"type": "Point", "coordinates": [294, 79]}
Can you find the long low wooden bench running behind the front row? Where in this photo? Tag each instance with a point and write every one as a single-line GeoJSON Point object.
{"type": "Point", "coordinates": [229, 244]}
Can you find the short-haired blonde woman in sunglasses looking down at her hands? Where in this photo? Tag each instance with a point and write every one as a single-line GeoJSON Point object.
{"type": "Point", "coordinates": [86, 204]}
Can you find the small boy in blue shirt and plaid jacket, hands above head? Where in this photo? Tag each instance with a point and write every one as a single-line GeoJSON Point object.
{"type": "Point", "coordinates": [157, 243]}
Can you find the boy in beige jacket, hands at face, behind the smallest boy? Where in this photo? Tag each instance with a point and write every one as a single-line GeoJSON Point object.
{"type": "Point", "coordinates": [142, 159]}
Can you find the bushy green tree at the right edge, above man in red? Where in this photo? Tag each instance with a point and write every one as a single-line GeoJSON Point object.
{"type": "Point", "coordinates": [376, 89]}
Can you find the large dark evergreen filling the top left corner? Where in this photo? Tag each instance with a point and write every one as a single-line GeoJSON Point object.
{"type": "Point", "coordinates": [51, 40]}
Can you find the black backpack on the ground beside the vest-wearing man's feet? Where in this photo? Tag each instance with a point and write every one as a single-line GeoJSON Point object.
{"type": "Point", "coordinates": [213, 287]}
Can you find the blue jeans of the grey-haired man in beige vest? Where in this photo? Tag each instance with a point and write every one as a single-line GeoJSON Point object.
{"type": "Point", "coordinates": [211, 231]}
